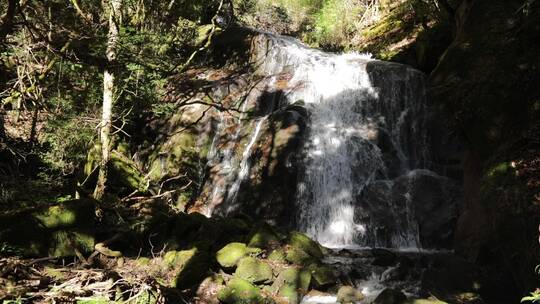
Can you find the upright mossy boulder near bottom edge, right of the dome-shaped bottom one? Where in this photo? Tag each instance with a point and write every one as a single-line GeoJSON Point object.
{"type": "Point", "coordinates": [292, 283]}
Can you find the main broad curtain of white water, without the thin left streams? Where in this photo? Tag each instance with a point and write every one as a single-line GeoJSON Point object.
{"type": "Point", "coordinates": [349, 114]}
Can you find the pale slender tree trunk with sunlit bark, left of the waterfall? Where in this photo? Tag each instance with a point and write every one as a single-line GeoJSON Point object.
{"type": "Point", "coordinates": [109, 76]}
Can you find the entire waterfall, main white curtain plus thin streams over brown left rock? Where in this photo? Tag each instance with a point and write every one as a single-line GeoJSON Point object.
{"type": "Point", "coordinates": [363, 144]}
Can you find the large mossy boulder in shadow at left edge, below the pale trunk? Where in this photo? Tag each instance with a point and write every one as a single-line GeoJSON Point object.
{"type": "Point", "coordinates": [55, 231]}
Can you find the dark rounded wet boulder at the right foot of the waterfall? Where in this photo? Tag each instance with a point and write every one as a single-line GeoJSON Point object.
{"type": "Point", "coordinates": [420, 200]}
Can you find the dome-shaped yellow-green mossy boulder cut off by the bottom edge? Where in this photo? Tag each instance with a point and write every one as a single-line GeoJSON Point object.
{"type": "Point", "coordinates": [240, 291]}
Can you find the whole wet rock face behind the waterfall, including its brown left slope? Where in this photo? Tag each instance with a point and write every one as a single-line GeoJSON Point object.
{"type": "Point", "coordinates": [260, 158]}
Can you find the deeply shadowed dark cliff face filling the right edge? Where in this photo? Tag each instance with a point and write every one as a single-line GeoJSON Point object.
{"type": "Point", "coordinates": [488, 83]}
